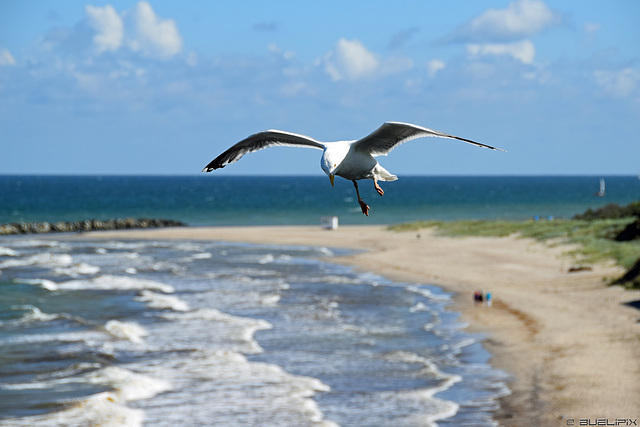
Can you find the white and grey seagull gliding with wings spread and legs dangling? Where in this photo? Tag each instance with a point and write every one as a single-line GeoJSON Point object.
{"type": "Point", "coordinates": [352, 160]}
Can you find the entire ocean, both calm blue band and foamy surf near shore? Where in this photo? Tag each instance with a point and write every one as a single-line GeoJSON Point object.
{"type": "Point", "coordinates": [102, 331]}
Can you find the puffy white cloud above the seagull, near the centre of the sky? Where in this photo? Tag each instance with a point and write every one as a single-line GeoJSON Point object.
{"type": "Point", "coordinates": [350, 60]}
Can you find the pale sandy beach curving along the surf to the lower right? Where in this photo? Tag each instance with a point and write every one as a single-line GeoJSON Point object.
{"type": "Point", "coordinates": [569, 341]}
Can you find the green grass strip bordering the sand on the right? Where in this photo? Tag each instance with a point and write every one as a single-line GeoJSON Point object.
{"type": "Point", "coordinates": [594, 238]}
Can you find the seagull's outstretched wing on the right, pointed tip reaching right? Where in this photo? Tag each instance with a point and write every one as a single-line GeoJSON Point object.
{"type": "Point", "coordinates": [391, 134]}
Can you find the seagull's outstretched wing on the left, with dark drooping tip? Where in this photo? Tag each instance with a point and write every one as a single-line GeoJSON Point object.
{"type": "Point", "coordinates": [259, 141]}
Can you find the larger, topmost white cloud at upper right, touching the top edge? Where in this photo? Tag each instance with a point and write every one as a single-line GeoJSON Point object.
{"type": "Point", "coordinates": [521, 19]}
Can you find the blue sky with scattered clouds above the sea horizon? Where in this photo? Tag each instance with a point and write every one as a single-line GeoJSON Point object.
{"type": "Point", "coordinates": [162, 87]}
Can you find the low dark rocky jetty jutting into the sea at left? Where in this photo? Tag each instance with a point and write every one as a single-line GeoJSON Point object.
{"type": "Point", "coordinates": [86, 225]}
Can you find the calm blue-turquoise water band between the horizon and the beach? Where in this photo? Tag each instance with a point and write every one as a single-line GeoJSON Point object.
{"type": "Point", "coordinates": [221, 200]}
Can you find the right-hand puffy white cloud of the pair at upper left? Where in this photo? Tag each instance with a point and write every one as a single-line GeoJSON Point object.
{"type": "Point", "coordinates": [152, 36]}
